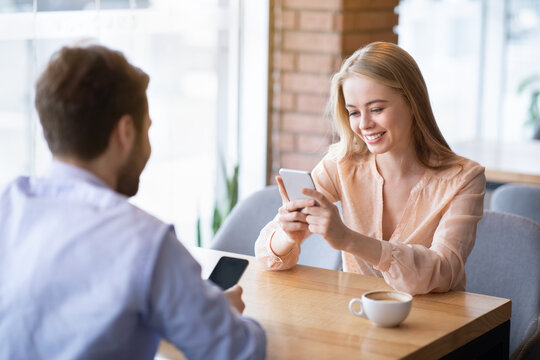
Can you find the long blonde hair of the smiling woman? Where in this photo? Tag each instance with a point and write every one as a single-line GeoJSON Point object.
{"type": "Point", "coordinates": [389, 65]}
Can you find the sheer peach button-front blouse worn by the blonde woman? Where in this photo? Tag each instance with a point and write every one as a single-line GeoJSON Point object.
{"type": "Point", "coordinates": [436, 233]}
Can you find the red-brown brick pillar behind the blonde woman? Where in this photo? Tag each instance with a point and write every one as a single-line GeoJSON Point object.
{"type": "Point", "coordinates": [309, 40]}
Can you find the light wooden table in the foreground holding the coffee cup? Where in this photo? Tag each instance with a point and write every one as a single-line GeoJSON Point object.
{"type": "Point", "coordinates": [305, 315]}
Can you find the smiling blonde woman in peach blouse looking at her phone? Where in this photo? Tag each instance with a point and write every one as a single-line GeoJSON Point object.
{"type": "Point", "coordinates": [410, 205]}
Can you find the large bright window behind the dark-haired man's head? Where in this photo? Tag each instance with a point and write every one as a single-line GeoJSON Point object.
{"type": "Point", "coordinates": [190, 49]}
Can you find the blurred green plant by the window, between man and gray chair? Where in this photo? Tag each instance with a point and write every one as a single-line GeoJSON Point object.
{"type": "Point", "coordinates": [223, 207]}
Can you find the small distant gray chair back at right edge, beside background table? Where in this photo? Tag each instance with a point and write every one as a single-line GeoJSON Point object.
{"type": "Point", "coordinates": [517, 199]}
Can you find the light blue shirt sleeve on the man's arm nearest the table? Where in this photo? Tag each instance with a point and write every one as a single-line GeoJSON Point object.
{"type": "Point", "coordinates": [195, 315]}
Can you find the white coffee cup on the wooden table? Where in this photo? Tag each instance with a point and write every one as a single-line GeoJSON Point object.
{"type": "Point", "coordinates": [386, 308]}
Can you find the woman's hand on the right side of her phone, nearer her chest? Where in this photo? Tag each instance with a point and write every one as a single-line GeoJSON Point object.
{"type": "Point", "coordinates": [325, 220]}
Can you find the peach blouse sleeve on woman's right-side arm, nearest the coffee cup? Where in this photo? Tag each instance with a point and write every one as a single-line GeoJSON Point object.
{"type": "Point", "coordinates": [417, 269]}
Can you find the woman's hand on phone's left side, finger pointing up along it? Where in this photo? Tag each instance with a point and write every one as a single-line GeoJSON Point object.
{"type": "Point", "coordinates": [290, 218]}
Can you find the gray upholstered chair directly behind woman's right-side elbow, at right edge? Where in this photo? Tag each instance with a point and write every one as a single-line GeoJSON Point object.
{"type": "Point", "coordinates": [505, 262]}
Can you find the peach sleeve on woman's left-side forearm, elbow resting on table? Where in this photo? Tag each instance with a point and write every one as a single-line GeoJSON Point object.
{"type": "Point", "coordinates": [264, 254]}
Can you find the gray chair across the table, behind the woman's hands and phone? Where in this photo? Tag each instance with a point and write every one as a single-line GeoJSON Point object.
{"type": "Point", "coordinates": [242, 227]}
